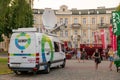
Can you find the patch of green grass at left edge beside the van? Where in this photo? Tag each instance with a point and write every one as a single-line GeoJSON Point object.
{"type": "Point", "coordinates": [4, 67]}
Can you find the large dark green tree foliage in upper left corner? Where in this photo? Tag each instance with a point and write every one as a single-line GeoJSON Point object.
{"type": "Point", "coordinates": [14, 14]}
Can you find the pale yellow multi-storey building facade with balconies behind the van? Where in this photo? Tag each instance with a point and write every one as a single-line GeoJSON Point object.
{"type": "Point", "coordinates": [80, 26]}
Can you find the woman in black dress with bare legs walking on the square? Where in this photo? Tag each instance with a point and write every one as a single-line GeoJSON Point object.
{"type": "Point", "coordinates": [96, 56]}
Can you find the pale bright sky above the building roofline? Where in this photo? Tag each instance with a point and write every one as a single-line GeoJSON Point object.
{"type": "Point", "coordinates": [79, 4]}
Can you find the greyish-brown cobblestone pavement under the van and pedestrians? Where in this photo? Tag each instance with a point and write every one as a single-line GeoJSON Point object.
{"type": "Point", "coordinates": [72, 71]}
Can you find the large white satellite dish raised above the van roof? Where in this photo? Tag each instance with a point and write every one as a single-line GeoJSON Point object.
{"type": "Point", "coordinates": [49, 19]}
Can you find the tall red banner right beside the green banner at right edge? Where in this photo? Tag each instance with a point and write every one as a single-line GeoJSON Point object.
{"type": "Point", "coordinates": [113, 39]}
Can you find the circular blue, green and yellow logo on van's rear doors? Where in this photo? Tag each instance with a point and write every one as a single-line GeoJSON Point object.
{"type": "Point", "coordinates": [22, 41]}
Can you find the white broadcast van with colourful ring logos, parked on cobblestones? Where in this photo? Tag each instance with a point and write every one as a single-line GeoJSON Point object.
{"type": "Point", "coordinates": [31, 51]}
